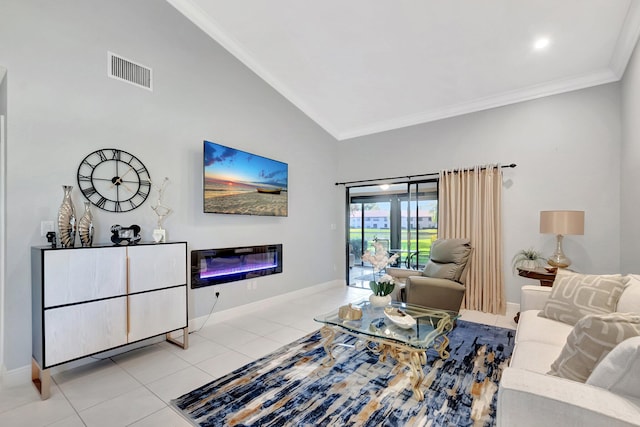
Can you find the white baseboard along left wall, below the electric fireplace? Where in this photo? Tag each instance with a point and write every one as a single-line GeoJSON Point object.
{"type": "Point", "coordinates": [221, 316]}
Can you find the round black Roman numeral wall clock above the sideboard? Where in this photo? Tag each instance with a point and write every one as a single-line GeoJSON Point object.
{"type": "Point", "coordinates": [114, 180]}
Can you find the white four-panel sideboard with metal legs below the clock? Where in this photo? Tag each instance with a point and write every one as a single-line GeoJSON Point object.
{"type": "Point", "coordinates": [88, 300]}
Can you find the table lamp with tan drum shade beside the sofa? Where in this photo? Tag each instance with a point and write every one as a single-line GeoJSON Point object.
{"type": "Point", "coordinates": [561, 223]}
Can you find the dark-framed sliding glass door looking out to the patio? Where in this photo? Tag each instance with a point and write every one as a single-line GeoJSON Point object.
{"type": "Point", "coordinates": [401, 216]}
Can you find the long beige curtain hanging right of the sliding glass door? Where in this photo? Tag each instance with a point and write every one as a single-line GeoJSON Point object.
{"type": "Point", "coordinates": [470, 205]}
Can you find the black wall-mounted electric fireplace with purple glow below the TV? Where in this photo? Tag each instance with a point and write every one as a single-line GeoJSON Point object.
{"type": "Point", "coordinates": [215, 266]}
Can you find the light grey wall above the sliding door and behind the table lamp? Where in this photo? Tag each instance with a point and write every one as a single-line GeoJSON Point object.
{"type": "Point", "coordinates": [567, 148]}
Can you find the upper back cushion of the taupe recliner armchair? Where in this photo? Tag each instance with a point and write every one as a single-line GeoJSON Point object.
{"type": "Point", "coordinates": [448, 259]}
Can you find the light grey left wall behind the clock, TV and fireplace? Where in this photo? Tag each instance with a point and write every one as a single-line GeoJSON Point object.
{"type": "Point", "coordinates": [63, 106]}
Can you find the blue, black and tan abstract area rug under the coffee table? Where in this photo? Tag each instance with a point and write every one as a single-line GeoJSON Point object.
{"type": "Point", "coordinates": [290, 387]}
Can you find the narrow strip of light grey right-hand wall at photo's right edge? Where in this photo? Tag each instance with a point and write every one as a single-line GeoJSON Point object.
{"type": "Point", "coordinates": [630, 168]}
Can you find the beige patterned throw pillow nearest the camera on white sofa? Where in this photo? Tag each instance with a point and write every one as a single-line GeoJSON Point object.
{"type": "Point", "coordinates": [591, 339]}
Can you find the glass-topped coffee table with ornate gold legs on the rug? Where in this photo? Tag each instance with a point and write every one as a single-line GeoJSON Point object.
{"type": "Point", "coordinates": [401, 331]}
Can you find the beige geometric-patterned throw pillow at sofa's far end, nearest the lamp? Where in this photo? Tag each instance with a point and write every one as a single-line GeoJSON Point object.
{"type": "Point", "coordinates": [574, 295]}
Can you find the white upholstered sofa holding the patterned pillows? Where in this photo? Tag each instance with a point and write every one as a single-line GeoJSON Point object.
{"type": "Point", "coordinates": [528, 396]}
